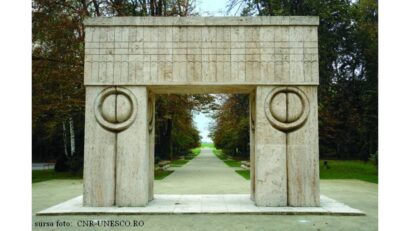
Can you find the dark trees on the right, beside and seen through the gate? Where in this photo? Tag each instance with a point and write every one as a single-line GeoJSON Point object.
{"type": "Point", "coordinates": [348, 70]}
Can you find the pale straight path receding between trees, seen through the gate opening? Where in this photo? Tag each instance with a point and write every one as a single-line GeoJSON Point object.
{"type": "Point", "coordinates": [205, 174]}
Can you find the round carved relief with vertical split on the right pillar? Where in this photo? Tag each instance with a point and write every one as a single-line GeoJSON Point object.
{"type": "Point", "coordinates": [286, 108]}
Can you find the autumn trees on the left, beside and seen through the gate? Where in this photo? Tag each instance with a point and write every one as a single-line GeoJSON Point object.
{"type": "Point", "coordinates": [57, 72]}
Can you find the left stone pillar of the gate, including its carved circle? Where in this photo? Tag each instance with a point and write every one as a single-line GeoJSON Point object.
{"type": "Point", "coordinates": [116, 158]}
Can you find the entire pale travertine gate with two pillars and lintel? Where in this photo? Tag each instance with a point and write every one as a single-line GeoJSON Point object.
{"type": "Point", "coordinates": [130, 59]}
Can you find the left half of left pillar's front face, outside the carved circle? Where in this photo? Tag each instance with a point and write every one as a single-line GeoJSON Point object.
{"type": "Point", "coordinates": [99, 156]}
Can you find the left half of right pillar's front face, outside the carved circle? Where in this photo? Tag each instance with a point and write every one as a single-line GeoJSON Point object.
{"type": "Point", "coordinates": [270, 157]}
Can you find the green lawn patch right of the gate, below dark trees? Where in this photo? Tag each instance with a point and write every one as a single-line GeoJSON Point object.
{"type": "Point", "coordinates": [349, 169]}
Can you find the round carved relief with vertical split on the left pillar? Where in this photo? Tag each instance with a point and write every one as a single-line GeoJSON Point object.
{"type": "Point", "coordinates": [115, 108]}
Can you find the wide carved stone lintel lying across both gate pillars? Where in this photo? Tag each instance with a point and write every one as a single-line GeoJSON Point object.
{"type": "Point", "coordinates": [196, 51]}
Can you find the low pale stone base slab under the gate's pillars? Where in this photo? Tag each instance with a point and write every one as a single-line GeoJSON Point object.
{"type": "Point", "coordinates": [197, 203]}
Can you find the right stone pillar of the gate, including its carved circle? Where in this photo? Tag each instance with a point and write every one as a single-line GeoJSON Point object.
{"type": "Point", "coordinates": [286, 146]}
